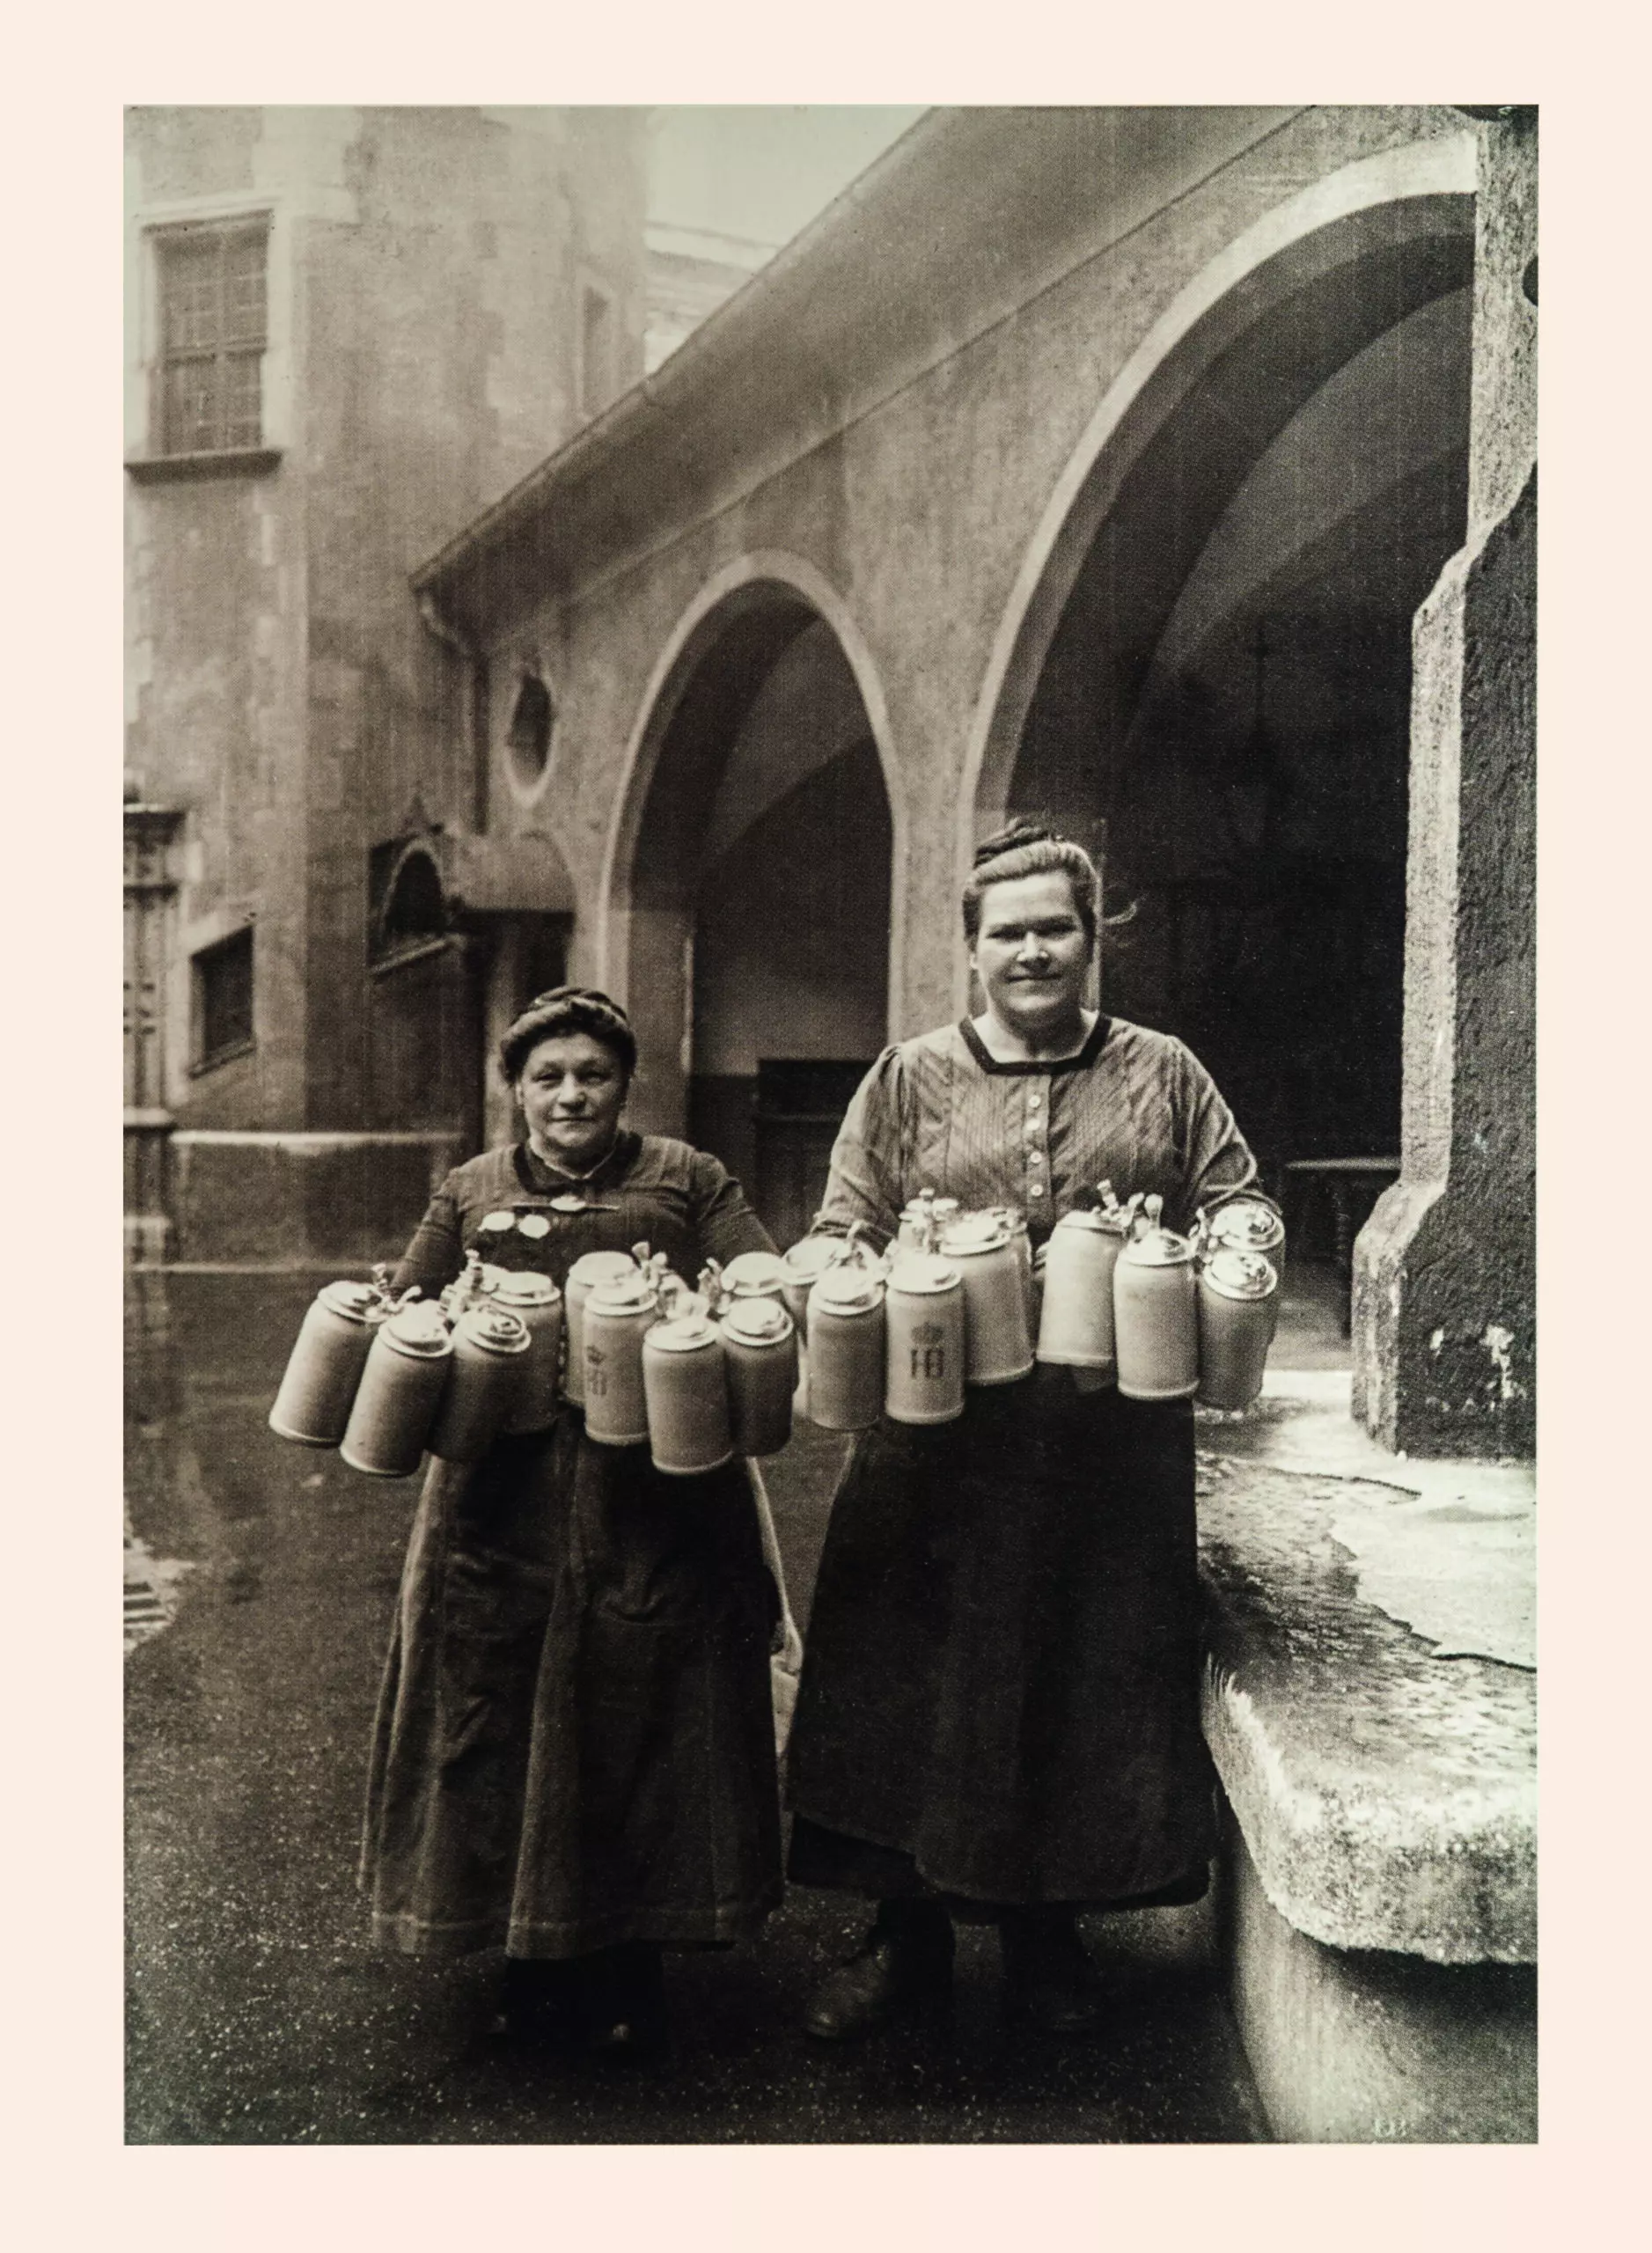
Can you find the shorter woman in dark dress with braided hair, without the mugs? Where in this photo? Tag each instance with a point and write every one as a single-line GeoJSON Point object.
{"type": "Point", "coordinates": [576, 1740]}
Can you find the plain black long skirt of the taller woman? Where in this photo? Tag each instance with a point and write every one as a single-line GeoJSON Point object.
{"type": "Point", "coordinates": [1002, 1677]}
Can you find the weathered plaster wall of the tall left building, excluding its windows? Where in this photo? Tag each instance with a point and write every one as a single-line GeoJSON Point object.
{"type": "Point", "coordinates": [427, 278]}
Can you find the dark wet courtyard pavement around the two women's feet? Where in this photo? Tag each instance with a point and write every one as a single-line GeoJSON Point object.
{"type": "Point", "coordinates": [256, 2009]}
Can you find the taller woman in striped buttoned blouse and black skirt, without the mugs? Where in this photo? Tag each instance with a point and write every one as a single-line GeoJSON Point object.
{"type": "Point", "coordinates": [1000, 1704]}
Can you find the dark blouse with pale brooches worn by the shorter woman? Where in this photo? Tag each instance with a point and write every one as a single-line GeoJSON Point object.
{"type": "Point", "coordinates": [650, 1188]}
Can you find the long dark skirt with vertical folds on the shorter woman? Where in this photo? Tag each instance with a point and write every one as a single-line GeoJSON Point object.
{"type": "Point", "coordinates": [576, 1731]}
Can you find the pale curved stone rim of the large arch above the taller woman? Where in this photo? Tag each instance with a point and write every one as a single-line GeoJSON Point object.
{"type": "Point", "coordinates": [1385, 211]}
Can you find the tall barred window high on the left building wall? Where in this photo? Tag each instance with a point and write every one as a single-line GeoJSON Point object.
{"type": "Point", "coordinates": [213, 335]}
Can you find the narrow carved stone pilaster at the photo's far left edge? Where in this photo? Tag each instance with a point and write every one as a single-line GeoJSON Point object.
{"type": "Point", "coordinates": [148, 1130]}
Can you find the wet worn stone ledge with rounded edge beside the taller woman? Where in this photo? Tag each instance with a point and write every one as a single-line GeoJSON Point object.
{"type": "Point", "coordinates": [1385, 1792]}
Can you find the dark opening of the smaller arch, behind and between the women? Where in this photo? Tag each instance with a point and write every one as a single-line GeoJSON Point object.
{"type": "Point", "coordinates": [761, 898]}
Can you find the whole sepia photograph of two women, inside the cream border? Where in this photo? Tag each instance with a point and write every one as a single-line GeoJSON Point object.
{"type": "Point", "coordinates": [831, 1107]}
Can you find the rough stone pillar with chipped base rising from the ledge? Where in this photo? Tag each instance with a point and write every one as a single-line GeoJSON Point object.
{"type": "Point", "coordinates": [1446, 1267]}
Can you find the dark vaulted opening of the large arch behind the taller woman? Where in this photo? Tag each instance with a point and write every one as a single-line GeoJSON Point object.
{"type": "Point", "coordinates": [1223, 686]}
